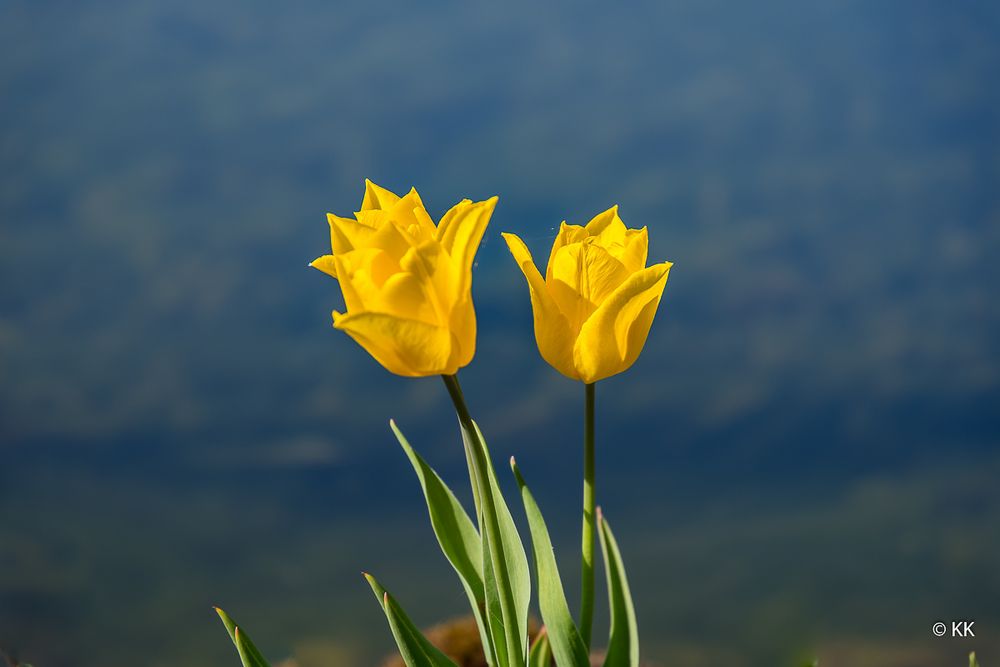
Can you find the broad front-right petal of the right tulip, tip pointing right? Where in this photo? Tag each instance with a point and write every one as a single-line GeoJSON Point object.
{"type": "Point", "coordinates": [611, 340]}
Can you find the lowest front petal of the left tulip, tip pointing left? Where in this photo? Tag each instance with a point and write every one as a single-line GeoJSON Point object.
{"type": "Point", "coordinates": [403, 346]}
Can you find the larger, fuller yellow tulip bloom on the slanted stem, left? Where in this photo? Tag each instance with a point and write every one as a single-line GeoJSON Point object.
{"type": "Point", "coordinates": [407, 283]}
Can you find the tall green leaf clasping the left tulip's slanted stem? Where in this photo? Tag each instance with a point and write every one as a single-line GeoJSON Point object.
{"type": "Point", "coordinates": [505, 565]}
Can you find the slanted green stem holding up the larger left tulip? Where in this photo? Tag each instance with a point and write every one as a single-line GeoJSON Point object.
{"type": "Point", "coordinates": [479, 467]}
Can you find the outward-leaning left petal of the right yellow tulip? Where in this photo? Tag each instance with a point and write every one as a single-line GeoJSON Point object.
{"type": "Point", "coordinates": [552, 331]}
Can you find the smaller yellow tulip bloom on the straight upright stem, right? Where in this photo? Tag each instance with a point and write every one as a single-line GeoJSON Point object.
{"type": "Point", "coordinates": [596, 303]}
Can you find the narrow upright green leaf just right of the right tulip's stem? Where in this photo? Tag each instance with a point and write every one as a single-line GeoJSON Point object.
{"type": "Point", "coordinates": [623, 642]}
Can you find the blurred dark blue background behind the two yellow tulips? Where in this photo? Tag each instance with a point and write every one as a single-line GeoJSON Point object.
{"type": "Point", "coordinates": [804, 460]}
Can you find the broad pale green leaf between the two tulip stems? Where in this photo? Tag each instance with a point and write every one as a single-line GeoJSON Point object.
{"type": "Point", "coordinates": [567, 644]}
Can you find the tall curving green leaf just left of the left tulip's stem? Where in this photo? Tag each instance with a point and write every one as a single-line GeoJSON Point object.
{"type": "Point", "coordinates": [456, 534]}
